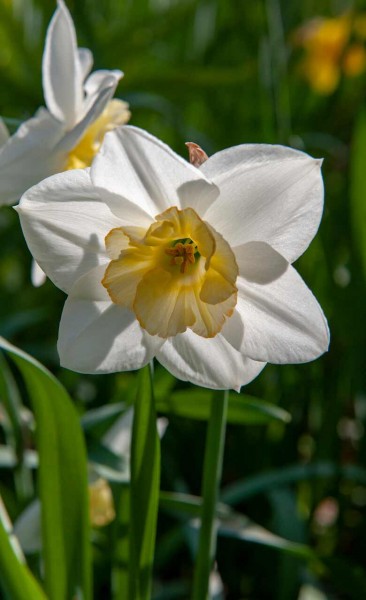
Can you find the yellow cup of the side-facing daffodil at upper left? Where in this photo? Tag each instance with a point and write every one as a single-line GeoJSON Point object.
{"type": "Point", "coordinates": [115, 113]}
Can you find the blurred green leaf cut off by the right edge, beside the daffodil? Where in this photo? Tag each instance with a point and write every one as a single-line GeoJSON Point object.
{"type": "Point", "coordinates": [358, 186]}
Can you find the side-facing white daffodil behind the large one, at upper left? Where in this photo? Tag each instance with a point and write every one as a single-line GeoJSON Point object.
{"type": "Point", "coordinates": [80, 110]}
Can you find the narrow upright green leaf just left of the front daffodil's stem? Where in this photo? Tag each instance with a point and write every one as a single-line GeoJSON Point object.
{"type": "Point", "coordinates": [145, 478]}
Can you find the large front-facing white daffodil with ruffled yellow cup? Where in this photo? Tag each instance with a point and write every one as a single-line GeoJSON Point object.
{"type": "Point", "coordinates": [190, 265]}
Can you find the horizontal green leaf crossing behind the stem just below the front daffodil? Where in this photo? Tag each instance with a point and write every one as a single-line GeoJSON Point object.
{"type": "Point", "coordinates": [242, 410]}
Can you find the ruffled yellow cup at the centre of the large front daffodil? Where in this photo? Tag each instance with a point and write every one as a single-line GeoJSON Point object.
{"type": "Point", "coordinates": [178, 274]}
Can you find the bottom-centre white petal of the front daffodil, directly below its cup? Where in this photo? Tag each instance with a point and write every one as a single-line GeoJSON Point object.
{"type": "Point", "coordinates": [211, 363]}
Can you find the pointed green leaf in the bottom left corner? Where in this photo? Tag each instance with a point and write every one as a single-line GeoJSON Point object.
{"type": "Point", "coordinates": [16, 580]}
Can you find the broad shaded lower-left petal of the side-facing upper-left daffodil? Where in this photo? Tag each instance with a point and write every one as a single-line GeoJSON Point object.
{"type": "Point", "coordinates": [29, 156]}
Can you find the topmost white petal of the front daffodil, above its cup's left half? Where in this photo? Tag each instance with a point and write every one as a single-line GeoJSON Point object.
{"type": "Point", "coordinates": [136, 166]}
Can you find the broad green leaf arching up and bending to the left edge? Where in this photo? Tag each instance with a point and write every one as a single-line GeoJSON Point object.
{"type": "Point", "coordinates": [62, 481]}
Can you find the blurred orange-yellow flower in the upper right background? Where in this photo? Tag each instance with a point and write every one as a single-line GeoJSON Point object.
{"type": "Point", "coordinates": [333, 47]}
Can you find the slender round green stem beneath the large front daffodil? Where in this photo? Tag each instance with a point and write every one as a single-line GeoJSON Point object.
{"type": "Point", "coordinates": [214, 452]}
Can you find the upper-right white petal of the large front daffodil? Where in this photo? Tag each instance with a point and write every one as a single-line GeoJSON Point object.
{"type": "Point", "coordinates": [268, 193]}
